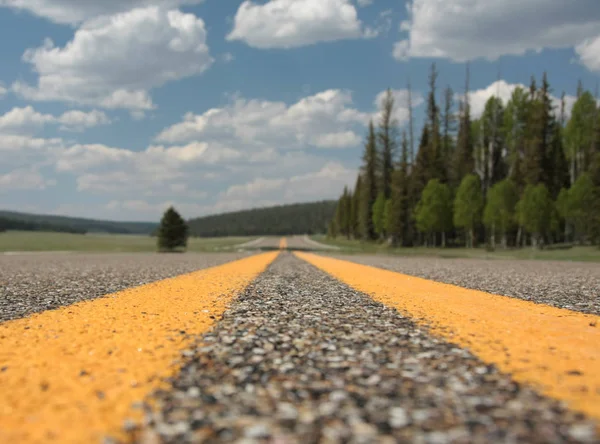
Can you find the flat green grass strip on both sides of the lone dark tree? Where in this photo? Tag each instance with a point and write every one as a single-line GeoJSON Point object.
{"type": "Point", "coordinates": [43, 241]}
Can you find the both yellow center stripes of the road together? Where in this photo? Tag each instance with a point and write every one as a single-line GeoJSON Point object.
{"type": "Point", "coordinates": [72, 374]}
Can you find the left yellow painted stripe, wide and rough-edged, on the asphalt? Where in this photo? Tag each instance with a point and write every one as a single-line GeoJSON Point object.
{"type": "Point", "coordinates": [72, 374]}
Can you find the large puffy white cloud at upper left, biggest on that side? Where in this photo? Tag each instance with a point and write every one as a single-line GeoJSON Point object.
{"type": "Point", "coordinates": [113, 61]}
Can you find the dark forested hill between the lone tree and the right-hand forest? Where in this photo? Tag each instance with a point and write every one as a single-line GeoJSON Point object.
{"type": "Point", "coordinates": [301, 218]}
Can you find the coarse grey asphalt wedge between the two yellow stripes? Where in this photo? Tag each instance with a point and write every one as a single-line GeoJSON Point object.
{"type": "Point", "coordinates": [301, 357]}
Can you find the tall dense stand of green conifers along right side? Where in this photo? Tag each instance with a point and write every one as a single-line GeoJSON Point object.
{"type": "Point", "coordinates": [523, 173]}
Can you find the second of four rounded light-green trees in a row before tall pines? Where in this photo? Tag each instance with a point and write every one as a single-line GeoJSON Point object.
{"type": "Point", "coordinates": [468, 206]}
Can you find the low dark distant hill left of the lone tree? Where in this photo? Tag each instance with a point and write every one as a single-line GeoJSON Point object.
{"type": "Point", "coordinates": [36, 222]}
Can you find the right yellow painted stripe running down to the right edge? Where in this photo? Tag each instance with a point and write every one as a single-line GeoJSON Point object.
{"type": "Point", "coordinates": [554, 350]}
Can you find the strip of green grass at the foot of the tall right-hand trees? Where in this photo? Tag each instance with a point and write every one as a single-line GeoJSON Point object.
{"type": "Point", "coordinates": [569, 253]}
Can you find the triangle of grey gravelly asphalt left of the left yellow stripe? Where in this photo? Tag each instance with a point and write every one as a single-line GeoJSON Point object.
{"type": "Point", "coordinates": [32, 283]}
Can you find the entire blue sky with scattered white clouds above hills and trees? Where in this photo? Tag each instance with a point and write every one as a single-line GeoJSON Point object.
{"type": "Point", "coordinates": [117, 109]}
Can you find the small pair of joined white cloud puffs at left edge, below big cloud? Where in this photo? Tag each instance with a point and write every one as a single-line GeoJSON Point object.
{"type": "Point", "coordinates": [27, 120]}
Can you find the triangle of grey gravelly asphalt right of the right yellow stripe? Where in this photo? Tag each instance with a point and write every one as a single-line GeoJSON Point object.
{"type": "Point", "coordinates": [571, 285]}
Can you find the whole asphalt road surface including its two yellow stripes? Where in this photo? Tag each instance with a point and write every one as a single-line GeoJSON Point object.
{"type": "Point", "coordinates": [293, 347]}
